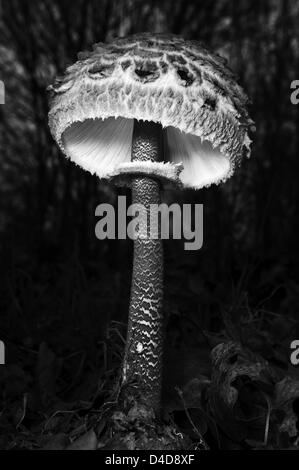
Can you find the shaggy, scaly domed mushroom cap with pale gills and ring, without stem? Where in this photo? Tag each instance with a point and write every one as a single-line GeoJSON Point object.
{"type": "Point", "coordinates": [152, 77]}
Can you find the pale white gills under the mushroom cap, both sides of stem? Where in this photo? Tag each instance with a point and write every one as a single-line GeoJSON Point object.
{"type": "Point", "coordinates": [102, 145]}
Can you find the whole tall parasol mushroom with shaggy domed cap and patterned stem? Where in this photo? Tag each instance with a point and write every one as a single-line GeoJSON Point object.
{"type": "Point", "coordinates": [145, 110]}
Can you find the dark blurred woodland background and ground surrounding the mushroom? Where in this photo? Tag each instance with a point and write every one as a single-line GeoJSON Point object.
{"type": "Point", "coordinates": [64, 294]}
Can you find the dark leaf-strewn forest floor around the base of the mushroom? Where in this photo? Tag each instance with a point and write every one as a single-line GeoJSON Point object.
{"type": "Point", "coordinates": [228, 379]}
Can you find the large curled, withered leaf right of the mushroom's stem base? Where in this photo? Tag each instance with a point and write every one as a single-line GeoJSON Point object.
{"type": "Point", "coordinates": [237, 396]}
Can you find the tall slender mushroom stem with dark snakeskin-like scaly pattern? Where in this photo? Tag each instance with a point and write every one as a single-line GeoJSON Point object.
{"type": "Point", "coordinates": [143, 354]}
